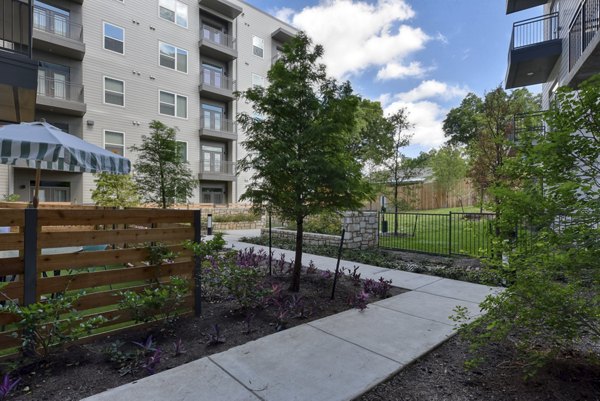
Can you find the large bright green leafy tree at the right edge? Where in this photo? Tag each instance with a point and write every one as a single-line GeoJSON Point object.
{"type": "Point", "coordinates": [552, 305]}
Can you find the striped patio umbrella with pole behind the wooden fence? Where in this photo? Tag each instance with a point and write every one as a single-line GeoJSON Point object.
{"type": "Point", "coordinates": [40, 144]}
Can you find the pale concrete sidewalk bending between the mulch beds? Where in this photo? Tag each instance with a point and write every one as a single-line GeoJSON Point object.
{"type": "Point", "coordinates": [332, 359]}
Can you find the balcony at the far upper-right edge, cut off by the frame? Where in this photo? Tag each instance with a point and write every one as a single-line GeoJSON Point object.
{"type": "Point", "coordinates": [584, 49]}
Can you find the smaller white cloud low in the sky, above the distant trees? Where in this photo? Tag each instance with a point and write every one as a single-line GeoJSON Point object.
{"type": "Point", "coordinates": [424, 111]}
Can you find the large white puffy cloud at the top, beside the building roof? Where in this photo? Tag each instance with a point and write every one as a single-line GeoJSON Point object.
{"type": "Point", "coordinates": [357, 35]}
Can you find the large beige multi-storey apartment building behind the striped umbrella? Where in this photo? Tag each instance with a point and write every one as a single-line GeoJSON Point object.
{"type": "Point", "coordinates": [105, 69]}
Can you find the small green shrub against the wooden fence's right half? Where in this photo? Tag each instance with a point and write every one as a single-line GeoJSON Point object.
{"type": "Point", "coordinates": [161, 302]}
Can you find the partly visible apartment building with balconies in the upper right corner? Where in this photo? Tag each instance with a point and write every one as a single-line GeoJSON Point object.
{"type": "Point", "coordinates": [560, 47]}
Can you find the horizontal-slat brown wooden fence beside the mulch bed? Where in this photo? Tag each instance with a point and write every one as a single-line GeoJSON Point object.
{"type": "Point", "coordinates": [99, 251]}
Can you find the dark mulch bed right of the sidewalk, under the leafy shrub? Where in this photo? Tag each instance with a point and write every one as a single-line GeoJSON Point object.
{"type": "Point", "coordinates": [440, 376]}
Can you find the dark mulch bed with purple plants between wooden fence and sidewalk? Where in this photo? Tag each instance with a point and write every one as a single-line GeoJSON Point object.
{"type": "Point", "coordinates": [84, 370]}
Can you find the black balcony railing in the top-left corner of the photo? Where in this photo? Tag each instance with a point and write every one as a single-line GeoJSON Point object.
{"type": "Point", "coordinates": [15, 33]}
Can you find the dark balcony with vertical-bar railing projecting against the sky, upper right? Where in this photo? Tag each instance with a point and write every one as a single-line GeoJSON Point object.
{"type": "Point", "coordinates": [534, 49]}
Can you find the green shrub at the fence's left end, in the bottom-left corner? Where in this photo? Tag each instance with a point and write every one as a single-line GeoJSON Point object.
{"type": "Point", "coordinates": [44, 327]}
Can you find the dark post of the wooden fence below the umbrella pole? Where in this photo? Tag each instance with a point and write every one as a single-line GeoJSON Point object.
{"type": "Point", "coordinates": [30, 276]}
